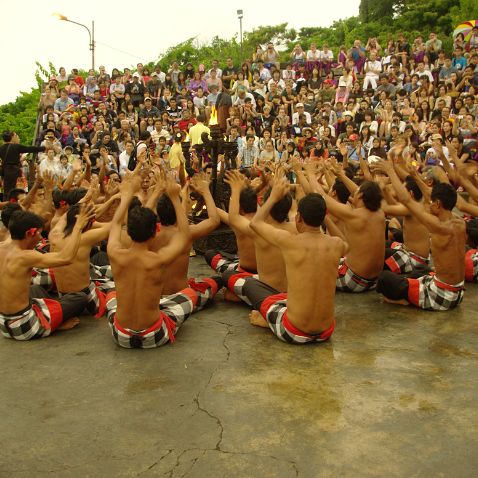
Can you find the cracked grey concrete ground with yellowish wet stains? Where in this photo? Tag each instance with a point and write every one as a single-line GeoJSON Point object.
{"type": "Point", "coordinates": [392, 394]}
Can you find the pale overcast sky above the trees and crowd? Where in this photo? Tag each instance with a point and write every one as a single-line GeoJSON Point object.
{"type": "Point", "coordinates": [138, 30]}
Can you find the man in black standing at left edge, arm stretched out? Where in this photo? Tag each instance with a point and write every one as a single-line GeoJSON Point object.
{"type": "Point", "coordinates": [10, 153]}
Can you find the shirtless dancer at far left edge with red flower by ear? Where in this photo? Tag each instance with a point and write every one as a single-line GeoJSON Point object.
{"type": "Point", "coordinates": [27, 312]}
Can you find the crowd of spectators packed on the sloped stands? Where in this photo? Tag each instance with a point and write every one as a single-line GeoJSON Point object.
{"type": "Point", "coordinates": [317, 104]}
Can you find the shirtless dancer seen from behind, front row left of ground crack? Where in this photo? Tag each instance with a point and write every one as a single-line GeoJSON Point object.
{"type": "Point", "coordinates": [136, 316]}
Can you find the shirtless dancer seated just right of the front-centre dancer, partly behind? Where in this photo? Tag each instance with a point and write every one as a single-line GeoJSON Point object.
{"type": "Point", "coordinates": [364, 232]}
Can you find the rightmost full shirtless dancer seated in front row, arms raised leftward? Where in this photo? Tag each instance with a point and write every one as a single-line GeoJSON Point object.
{"type": "Point", "coordinates": [443, 290]}
